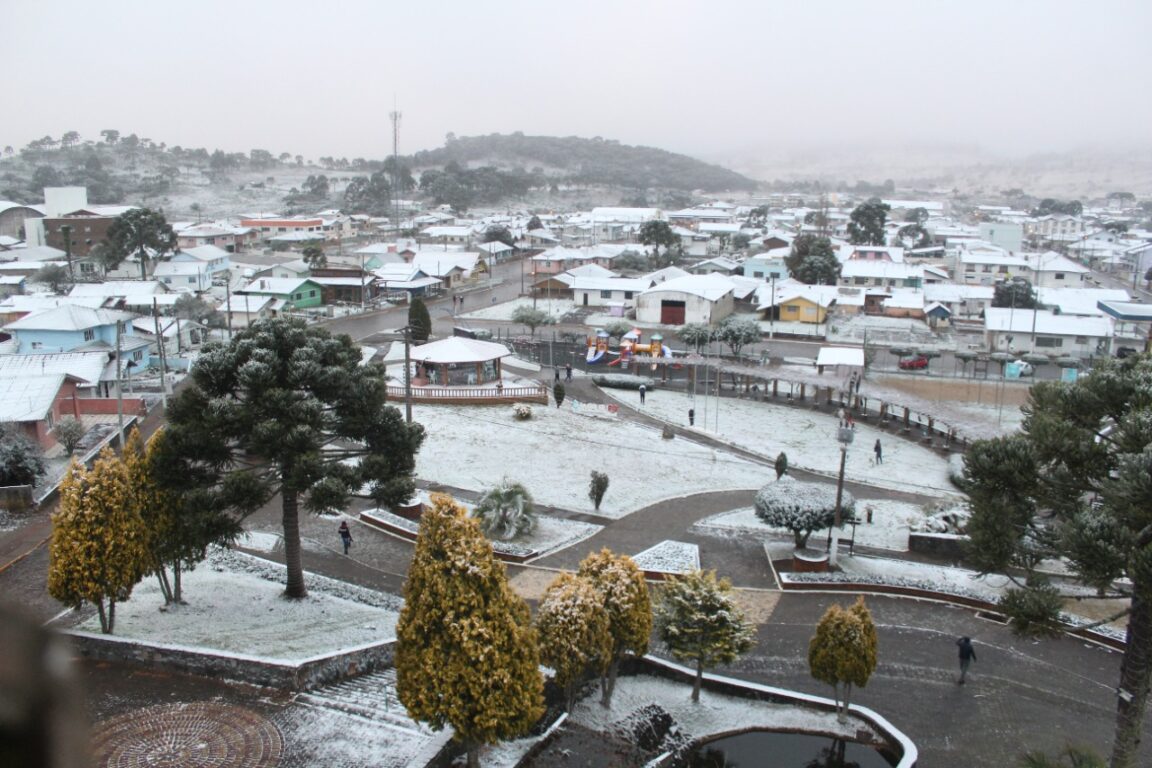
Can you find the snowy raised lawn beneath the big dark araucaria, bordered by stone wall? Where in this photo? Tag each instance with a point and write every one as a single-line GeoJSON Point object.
{"type": "Point", "coordinates": [244, 595]}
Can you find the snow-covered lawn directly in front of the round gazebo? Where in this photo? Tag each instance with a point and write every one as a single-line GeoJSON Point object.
{"type": "Point", "coordinates": [555, 453]}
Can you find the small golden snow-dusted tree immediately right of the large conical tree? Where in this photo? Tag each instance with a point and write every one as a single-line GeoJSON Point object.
{"type": "Point", "coordinates": [573, 627]}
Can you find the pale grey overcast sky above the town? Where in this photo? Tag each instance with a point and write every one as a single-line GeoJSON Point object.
{"type": "Point", "coordinates": [704, 79]}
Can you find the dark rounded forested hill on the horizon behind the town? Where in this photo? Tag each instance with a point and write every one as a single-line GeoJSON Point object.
{"type": "Point", "coordinates": [586, 162]}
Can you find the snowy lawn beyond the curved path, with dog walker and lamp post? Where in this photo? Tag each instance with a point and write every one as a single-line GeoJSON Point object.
{"type": "Point", "coordinates": [809, 439]}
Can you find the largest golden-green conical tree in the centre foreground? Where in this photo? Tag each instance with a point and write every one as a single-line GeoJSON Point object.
{"type": "Point", "coordinates": [466, 653]}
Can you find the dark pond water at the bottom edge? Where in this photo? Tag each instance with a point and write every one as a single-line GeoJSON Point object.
{"type": "Point", "coordinates": [784, 750]}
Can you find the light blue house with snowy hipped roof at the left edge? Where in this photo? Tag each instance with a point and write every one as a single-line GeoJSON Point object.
{"type": "Point", "coordinates": [71, 328]}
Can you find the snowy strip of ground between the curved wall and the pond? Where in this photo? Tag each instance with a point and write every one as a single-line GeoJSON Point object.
{"type": "Point", "coordinates": [716, 713]}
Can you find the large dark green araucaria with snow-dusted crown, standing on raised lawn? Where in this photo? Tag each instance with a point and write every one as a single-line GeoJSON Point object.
{"type": "Point", "coordinates": [289, 409]}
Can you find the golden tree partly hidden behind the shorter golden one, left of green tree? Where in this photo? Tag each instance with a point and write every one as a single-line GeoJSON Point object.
{"type": "Point", "coordinates": [626, 598]}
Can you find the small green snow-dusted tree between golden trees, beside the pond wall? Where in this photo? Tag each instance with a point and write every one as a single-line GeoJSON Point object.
{"type": "Point", "coordinates": [701, 623]}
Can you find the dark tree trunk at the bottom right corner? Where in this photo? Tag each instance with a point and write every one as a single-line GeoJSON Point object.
{"type": "Point", "coordinates": [1135, 673]}
